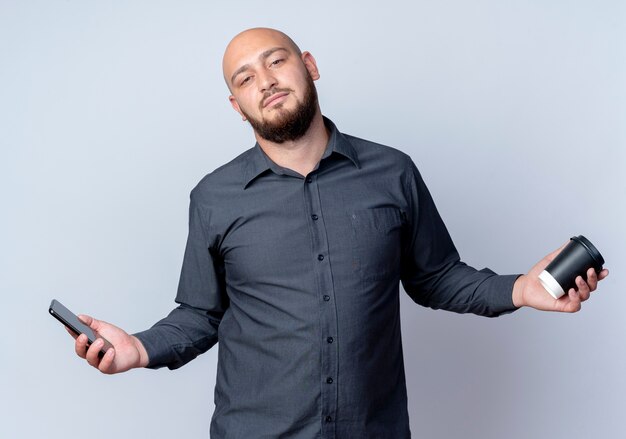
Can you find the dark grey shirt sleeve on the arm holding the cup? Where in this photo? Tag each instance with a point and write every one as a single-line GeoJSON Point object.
{"type": "Point", "coordinates": [433, 274]}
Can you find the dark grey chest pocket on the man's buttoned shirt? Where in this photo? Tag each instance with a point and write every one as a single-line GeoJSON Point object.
{"type": "Point", "coordinates": [376, 242]}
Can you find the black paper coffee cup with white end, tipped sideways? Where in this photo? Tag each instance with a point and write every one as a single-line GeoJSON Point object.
{"type": "Point", "coordinates": [578, 256]}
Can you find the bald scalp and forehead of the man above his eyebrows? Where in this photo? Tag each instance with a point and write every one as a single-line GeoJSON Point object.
{"type": "Point", "coordinates": [246, 46]}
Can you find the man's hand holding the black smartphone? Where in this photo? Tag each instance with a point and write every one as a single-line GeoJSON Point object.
{"type": "Point", "coordinates": [127, 352]}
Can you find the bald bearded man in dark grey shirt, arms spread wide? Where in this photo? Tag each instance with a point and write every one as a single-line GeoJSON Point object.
{"type": "Point", "coordinates": [295, 253]}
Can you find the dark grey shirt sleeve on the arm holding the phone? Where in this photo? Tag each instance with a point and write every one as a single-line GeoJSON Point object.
{"type": "Point", "coordinates": [191, 328]}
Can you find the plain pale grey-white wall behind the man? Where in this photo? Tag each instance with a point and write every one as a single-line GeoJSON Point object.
{"type": "Point", "coordinates": [111, 111]}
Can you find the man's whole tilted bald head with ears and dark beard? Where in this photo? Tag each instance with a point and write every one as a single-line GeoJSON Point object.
{"type": "Point", "coordinates": [271, 84]}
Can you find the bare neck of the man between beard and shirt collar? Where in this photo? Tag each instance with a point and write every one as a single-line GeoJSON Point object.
{"type": "Point", "coordinates": [300, 155]}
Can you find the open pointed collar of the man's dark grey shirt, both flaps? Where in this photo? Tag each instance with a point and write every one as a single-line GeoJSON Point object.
{"type": "Point", "coordinates": [258, 162]}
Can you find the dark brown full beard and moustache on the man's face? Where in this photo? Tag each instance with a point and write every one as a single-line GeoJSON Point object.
{"type": "Point", "coordinates": [287, 125]}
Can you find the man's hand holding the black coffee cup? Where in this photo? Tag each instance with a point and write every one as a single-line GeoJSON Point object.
{"type": "Point", "coordinates": [528, 290]}
